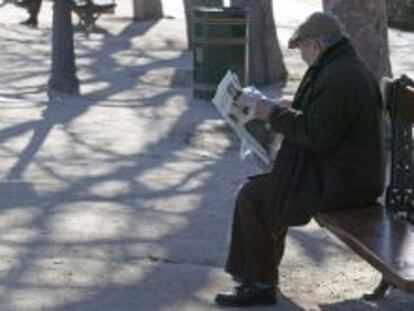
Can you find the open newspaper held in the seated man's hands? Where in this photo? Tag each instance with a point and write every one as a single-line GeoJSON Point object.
{"type": "Point", "coordinates": [256, 135]}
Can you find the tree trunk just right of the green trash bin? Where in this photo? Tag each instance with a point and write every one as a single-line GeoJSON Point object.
{"type": "Point", "coordinates": [266, 64]}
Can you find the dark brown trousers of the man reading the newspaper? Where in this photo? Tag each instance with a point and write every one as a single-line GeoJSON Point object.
{"type": "Point", "coordinates": [255, 249]}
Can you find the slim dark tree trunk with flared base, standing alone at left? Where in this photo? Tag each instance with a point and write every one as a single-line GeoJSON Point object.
{"type": "Point", "coordinates": [63, 74]}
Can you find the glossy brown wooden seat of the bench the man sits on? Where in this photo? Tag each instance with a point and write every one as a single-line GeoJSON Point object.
{"type": "Point", "coordinates": [386, 243]}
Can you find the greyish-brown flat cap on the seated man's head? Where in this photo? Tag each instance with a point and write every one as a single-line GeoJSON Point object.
{"type": "Point", "coordinates": [316, 26]}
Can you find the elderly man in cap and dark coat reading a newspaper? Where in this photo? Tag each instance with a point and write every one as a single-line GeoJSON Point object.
{"type": "Point", "coordinates": [331, 157]}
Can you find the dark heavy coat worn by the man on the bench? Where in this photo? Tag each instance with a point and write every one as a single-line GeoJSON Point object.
{"type": "Point", "coordinates": [332, 155]}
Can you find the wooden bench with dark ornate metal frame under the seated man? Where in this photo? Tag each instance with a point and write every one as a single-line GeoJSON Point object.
{"type": "Point", "coordinates": [384, 235]}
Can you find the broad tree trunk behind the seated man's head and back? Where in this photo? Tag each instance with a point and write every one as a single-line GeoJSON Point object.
{"type": "Point", "coordinates": [365, 21]}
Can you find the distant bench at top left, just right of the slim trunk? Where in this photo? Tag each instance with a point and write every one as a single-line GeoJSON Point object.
{"type": "Point", "coordinates": [89, 11]}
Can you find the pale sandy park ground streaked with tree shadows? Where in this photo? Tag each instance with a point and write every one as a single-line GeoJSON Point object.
{"type": "Point", "coordinates": [121, 199]}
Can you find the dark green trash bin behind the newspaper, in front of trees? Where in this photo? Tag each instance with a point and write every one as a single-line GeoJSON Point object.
{"type": "Point", "coordinates": [220, 37]}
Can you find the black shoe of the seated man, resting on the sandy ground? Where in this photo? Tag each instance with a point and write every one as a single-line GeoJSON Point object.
{"type": "Point", "coordinates": [247, 295]}
